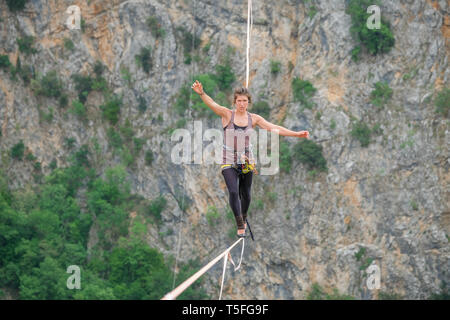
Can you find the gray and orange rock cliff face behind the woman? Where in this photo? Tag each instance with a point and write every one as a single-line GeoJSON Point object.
{"type": "Point", "coordinates": [387, 204]}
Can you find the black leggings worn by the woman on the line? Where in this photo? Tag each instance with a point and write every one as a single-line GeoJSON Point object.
{"type": "Point", "coordinates": [239, 196]}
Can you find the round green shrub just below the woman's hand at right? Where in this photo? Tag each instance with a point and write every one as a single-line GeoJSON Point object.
{"type": "Point", "coordinates": [310, 154]}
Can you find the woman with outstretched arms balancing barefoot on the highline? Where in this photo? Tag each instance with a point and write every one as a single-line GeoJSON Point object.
{"type": "Point", "coordinates": [238, 163]}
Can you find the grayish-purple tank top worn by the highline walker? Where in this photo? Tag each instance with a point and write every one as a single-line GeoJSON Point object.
{"type": "Point", "coordinates": [236, 141]}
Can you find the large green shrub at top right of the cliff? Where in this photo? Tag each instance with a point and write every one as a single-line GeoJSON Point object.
{"type": "Point", "coordinates": [376, 40]}
